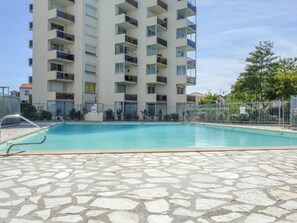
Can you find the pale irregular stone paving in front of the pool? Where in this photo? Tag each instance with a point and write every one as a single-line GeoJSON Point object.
{"type": "Point", "coordinates": [238, 186]}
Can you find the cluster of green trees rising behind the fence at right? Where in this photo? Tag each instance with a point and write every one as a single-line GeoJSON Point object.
{"type": "Point", "coordinates": [265, 76]}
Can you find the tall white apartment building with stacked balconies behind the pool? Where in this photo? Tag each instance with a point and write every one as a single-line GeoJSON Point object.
{"type": "Point", "coordinates": [126, 54]}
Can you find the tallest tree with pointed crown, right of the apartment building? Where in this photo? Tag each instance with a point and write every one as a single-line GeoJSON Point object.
{"type": "Point", "coordinates": [257, 80]}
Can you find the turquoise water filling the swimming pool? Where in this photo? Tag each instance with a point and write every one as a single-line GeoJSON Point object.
{"type": "Point", "coordinates": [152, 136]}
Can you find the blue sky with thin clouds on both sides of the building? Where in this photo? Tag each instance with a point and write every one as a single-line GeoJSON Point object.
{"type": "Point", "coordinates": [227, 31]}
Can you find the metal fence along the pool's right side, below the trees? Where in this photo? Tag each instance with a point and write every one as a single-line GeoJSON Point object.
{"type": "Point", "coordinates": [260, 113]}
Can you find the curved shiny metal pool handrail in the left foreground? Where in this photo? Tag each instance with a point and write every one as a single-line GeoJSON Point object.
{"type": "Point", "coordinates": [27, 120]}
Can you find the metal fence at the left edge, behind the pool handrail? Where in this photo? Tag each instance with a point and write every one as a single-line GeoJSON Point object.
{"type": "Point", "coordinates": [9, 105]}
